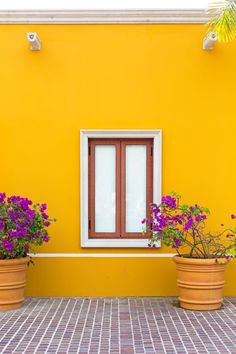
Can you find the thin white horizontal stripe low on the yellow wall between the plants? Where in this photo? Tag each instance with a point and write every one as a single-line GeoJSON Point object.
{"type": "Point", "coordinates": [103, 255]}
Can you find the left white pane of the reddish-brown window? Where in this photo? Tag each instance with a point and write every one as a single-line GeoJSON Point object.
{"type": "Point", "coordinates": [105, 188]}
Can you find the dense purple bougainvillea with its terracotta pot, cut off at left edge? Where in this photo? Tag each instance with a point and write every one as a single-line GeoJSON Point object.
{"type": "Point", "coordinates": [23, 225]}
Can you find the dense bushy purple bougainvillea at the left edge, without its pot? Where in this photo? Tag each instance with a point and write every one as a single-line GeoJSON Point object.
{"type": "Point", "coordinates": [23, 225]}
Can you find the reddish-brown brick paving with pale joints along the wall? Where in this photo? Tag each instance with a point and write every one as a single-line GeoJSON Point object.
{"type": "Point", "coordinates": [116, 325]}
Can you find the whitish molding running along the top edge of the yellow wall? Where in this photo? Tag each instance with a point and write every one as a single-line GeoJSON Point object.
{"type": "Point", "coordinates": [103, 16]}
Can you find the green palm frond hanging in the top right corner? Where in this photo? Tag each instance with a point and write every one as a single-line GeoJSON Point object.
{"type": "Point", "coordinates": [223, 20]}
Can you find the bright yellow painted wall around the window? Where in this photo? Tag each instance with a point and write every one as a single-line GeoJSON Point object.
{"type": "Point", "coordinates": [118, 77]}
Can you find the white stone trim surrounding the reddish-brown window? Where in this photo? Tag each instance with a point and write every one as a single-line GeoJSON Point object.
{"type": "Point", "coordinates": [157, 174]}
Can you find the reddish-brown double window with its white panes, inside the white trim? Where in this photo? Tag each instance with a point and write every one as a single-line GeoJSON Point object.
{"type": "Point", "coordinates": [120, 186]}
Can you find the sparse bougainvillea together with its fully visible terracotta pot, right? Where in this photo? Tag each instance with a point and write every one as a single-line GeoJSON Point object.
{"type": "Point", "coordinates": [201, 256]}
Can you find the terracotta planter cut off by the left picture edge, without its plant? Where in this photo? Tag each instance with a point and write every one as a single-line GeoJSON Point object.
{"type": "Point", "coordinates": [12, 282]}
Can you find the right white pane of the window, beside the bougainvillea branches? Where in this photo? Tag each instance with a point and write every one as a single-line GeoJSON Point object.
{"type": "Point", "coordinates": [136, 157]}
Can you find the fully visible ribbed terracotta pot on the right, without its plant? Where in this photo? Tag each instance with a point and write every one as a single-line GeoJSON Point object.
{"type": "Point", "coordinates": [200, 282]}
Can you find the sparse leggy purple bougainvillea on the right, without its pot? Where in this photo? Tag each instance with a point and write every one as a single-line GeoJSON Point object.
{"type": "Point", "coordinates": [183, 228]}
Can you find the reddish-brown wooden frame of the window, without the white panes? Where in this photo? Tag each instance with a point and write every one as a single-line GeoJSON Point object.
{"type": "Point", "coordinates": [120, 145]}
